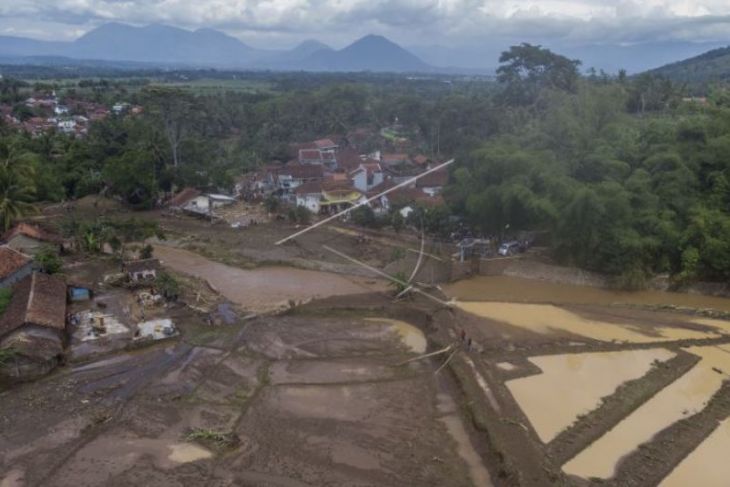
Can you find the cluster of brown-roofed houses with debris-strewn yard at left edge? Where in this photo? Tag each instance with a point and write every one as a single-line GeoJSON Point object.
{"type": "Point", "coordinates": [51, 318]}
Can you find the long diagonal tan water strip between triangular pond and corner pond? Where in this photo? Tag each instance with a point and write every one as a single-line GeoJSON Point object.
{"type": "Point", "coordinates": [686, 396]}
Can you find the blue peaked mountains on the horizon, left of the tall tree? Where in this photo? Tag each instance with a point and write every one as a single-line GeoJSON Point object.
{"type": "Point", "coordinates": [165, 45]}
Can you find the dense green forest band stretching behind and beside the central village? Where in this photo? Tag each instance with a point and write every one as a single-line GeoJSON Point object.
{"type": "Point", "coordinates": [625, 177]}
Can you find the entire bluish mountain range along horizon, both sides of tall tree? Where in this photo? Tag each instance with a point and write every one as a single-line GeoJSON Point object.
{"type": "Point", "coordinates": [122, 45]}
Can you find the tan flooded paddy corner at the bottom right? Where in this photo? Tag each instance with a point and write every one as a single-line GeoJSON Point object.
{"type": "Point", "coordinates": [707, 465]}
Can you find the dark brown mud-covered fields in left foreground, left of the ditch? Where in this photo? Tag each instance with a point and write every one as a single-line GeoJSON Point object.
{"type": "Point", "coordinates": [302, 399]}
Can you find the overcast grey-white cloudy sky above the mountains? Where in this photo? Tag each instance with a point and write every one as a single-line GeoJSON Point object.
{"type": "Point", "coordinates": [411, 22]}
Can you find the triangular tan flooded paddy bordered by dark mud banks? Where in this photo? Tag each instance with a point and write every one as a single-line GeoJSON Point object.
{"type": "Point", "coordinates": [574, 384]}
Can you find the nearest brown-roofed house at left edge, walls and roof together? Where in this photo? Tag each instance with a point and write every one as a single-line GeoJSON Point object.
{"type": "Point", "coordinates": [33, 326]}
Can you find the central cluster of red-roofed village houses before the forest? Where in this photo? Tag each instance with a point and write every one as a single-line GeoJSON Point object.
{"type": "Point", "coordinates": [330, 175]}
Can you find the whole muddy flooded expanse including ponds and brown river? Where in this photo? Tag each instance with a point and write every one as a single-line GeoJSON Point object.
{"type": "Point", "coordinates": [541, 384]}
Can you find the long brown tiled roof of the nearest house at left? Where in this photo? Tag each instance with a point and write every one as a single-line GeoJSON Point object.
{"type": "Point", "coordinates": [39, 299]}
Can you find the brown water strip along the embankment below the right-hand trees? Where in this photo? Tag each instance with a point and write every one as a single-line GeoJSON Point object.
{"type": "Point", "coordinates": [515, 289]}
